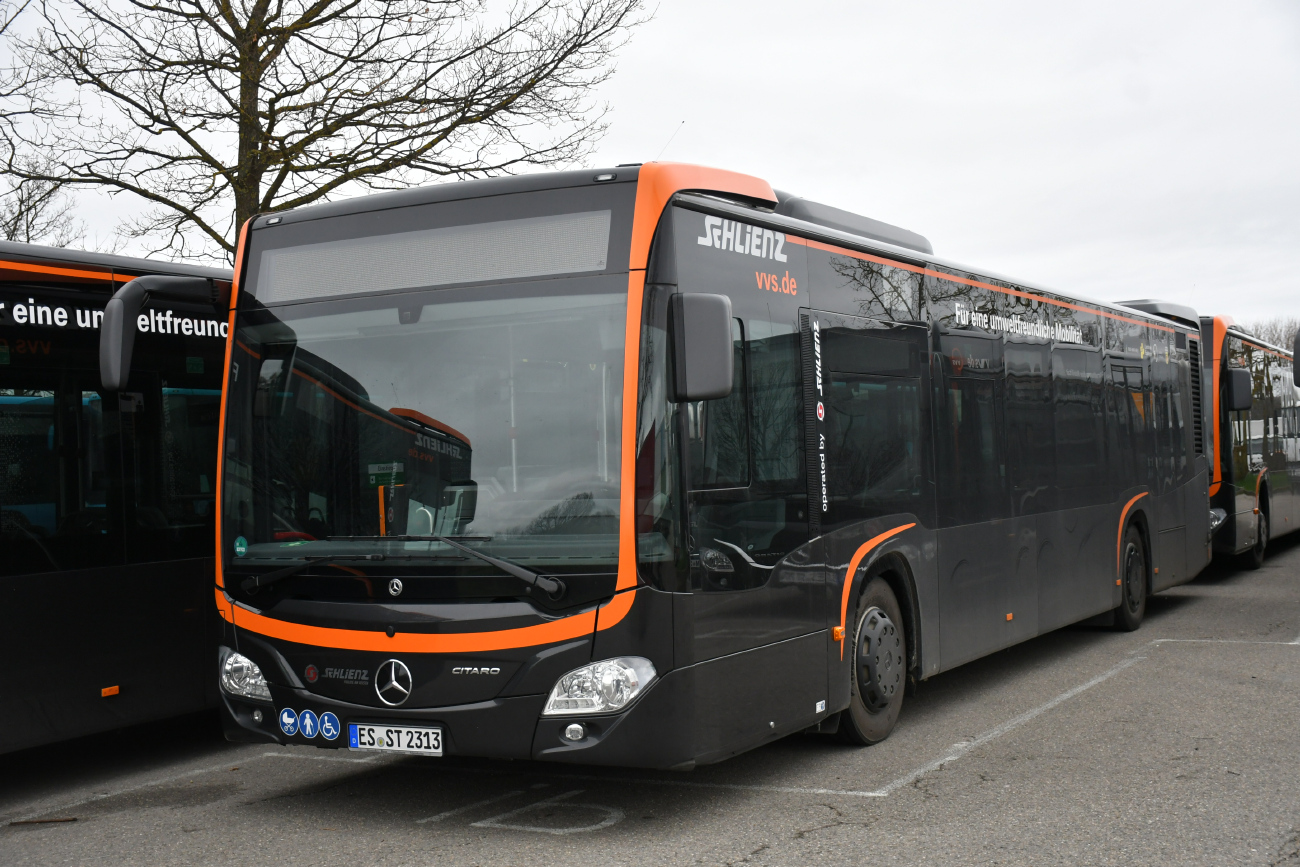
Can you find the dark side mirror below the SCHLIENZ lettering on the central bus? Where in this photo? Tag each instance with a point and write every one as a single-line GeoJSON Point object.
{"type": "Point", "coordinates": [703, 337]}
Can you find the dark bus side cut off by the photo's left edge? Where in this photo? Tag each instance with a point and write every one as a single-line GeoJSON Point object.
{"type": "Point", "coordinates": [107, 501]}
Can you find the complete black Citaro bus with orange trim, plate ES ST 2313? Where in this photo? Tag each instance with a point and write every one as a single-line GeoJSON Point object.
{"type": "Point", "coordinates": [652, 466]}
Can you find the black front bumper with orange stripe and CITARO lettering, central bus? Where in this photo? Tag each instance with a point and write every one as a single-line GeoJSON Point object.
{"type": "Point", "coordinates": [486, 691]}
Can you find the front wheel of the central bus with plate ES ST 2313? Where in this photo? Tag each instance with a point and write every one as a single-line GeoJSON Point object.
{"type": "Point", "coordinates": [879, 673]}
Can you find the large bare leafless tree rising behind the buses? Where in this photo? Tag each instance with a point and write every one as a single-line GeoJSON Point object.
{"type": "Point", "coordinates": [214, 111]}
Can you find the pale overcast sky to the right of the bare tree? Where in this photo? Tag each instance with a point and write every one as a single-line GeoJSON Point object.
{"type": "Point", "coordinates": [1117, 150]}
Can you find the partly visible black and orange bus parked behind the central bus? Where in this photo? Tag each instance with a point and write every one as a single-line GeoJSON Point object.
{"type": "Point", "coordinates": [1255, 484]}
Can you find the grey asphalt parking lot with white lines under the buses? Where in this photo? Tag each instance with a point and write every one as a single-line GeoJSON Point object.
{"type": "Point", "coordinates": [1175, 745]}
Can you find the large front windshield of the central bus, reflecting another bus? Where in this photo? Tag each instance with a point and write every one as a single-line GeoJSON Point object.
{"type": "Point", "coordinates": [375, 426]}
